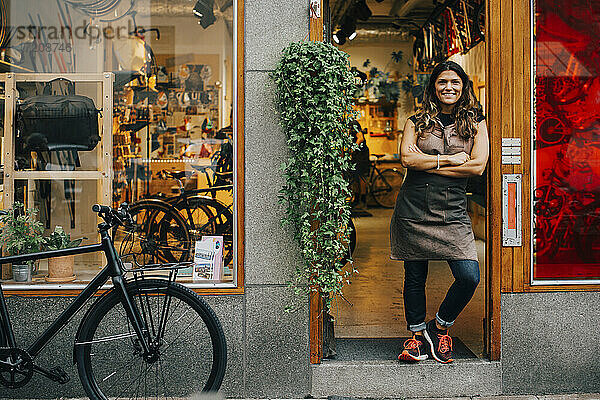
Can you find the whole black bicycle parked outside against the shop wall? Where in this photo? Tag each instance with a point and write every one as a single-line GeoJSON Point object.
{"type": "Point", "coordinates": [146, 337]}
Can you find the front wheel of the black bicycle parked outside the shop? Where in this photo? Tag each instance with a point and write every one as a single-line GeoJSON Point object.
{"type": "Point", "coordinates": [189, 350]}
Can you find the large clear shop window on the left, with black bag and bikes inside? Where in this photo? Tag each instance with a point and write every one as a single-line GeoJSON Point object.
{"type": "Point", "coordinates": [163, 76]}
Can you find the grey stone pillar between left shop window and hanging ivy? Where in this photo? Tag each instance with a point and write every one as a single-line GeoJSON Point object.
{"type": "Point", "coordinates": [276, 360]}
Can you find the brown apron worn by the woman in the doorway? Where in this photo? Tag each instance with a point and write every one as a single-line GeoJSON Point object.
{"type": "Point", "coordinates": [430, 220]}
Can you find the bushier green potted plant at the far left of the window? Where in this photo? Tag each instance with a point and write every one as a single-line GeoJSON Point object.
{"type": "Point", "coordinates": [21, 234]}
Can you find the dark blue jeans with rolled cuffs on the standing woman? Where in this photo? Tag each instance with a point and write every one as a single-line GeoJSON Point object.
{"type": "Point", "coordinates": [466, 279]}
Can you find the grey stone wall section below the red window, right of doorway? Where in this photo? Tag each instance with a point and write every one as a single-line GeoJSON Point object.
{"type": "Point", "coordinates": [550, 342]}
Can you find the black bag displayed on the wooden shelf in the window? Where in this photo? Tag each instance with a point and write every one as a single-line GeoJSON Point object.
{"type": "Point", "coordinates": [68, 122]}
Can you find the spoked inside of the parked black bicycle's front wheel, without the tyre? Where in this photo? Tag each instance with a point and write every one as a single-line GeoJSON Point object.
{"type": "Point", "coordinates": [176, 334]}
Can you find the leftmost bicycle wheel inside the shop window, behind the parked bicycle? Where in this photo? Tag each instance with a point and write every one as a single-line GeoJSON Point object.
{"type": "Point", "coordinates": [159, 234]}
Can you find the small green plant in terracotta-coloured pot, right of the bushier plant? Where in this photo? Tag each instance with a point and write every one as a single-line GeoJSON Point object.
{"type": "Point", "coordinates": [60, 269]}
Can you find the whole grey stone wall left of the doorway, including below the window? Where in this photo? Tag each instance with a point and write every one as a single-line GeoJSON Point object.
{"type": "Point", "coordinates": [267, 347]}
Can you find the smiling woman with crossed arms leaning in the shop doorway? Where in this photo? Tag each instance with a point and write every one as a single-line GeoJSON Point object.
{"type": "Point", "coordinates": [443, 144]}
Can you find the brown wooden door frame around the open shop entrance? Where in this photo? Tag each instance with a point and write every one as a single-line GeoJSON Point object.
{"type": "Point", "coordinates": [508, 96]}
